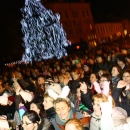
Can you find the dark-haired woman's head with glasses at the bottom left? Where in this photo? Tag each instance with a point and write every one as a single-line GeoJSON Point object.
{"type": "Point", "coordinates": [30, 120]}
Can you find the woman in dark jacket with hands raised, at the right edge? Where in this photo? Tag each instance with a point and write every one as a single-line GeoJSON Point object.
{"type": "Point", "coordinates": [121, 94]}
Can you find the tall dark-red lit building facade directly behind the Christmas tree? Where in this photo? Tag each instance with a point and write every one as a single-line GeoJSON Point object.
{"type": "Point", "coordinates": [76, 19]}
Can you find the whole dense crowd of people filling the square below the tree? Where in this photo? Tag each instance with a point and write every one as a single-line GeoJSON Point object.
{"type": "Point", "coordinates": [86, 90]}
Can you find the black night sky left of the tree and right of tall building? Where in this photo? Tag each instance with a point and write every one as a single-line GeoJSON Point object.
{"type": "Point", "coordinates": [10, 27]}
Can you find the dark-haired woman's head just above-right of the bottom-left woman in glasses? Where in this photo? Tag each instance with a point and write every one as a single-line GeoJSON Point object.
{"type": "Point", "coordinates": [37, 106]}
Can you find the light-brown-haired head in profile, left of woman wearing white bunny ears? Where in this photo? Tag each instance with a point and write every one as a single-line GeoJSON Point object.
{"type": "Point", "coordinates": [48, 101]}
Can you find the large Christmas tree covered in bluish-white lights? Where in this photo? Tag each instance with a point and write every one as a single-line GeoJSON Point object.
{"type": "Point", "coordinates": [44, 37]}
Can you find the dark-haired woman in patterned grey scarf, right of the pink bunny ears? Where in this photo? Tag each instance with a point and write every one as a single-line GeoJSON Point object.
{"type": "Point", "coordinates": [116, 73]}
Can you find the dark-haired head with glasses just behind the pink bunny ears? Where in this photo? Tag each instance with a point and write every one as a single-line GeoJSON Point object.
{"type": "Point", "coordinates": [103, 78]}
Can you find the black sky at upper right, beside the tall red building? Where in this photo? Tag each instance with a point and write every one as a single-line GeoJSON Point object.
{"type": "Point", "coordinates": [110, 8]}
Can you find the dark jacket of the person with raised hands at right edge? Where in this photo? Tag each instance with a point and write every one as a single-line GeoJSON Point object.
{"type": "Point", "coordinates": [124, 101]}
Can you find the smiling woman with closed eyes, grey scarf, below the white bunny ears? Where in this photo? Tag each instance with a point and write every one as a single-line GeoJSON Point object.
{"type": "Point", "coordinates": [64, 113]}
